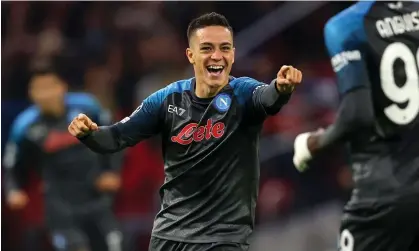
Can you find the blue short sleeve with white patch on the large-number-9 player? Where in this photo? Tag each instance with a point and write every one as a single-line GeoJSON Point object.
{"type": "Point", "coordinates": [345, 41]}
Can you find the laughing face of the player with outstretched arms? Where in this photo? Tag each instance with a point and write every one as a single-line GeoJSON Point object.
{"type": "Point", "coordinates": [212, 54]}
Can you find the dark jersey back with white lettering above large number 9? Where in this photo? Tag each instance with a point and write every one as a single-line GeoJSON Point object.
{"type": "Point", "coordinates": [392, 36]}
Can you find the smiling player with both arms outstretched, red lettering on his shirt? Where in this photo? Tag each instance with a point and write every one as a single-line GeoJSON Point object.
{"type": "Point", "coordinates": [210, 126]}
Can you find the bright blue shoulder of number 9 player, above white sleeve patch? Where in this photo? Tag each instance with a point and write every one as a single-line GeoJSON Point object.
{"type": "Point", "coordinates": [348, 25]}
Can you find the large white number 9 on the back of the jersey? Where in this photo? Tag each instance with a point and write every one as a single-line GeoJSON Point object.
{"type": "Point", "coordinates": [409, 92]}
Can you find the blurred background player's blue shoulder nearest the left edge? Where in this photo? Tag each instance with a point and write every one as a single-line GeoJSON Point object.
{"type": "Point", "coordinates": [23, 121]}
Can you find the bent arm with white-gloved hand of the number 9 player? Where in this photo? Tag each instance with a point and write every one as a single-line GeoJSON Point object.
{"type": "Point", "coordinates": [355, 111]}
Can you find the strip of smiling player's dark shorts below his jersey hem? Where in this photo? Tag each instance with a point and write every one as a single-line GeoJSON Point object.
{"type": "Point", "coordinates": [157, 244]}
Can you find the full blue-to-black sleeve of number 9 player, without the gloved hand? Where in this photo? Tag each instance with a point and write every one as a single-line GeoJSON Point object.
{"type": "Point", "coordinates": [345, 38]}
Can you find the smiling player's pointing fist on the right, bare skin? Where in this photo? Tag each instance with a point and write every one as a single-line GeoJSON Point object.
{"type": "Point", "coordinates": [287, 78]}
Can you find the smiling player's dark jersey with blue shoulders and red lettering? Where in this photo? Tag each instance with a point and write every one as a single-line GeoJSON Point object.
{"type": "Point", "coordinates": [210, 152]}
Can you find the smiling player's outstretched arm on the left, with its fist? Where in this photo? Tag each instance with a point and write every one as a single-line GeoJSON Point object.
{"type": "Point", "coordinates": [143, 123]}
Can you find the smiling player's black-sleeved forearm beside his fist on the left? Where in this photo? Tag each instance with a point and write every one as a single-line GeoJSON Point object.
{"type": "Point", "coordinates": [104, 140]}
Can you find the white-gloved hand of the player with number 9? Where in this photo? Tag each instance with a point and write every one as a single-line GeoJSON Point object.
{"type": "Point", "coordinates": [305, 146]}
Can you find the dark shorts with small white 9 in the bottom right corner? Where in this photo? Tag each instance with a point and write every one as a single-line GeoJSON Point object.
{"type": "Point", "coordinates": [381, 228]}
